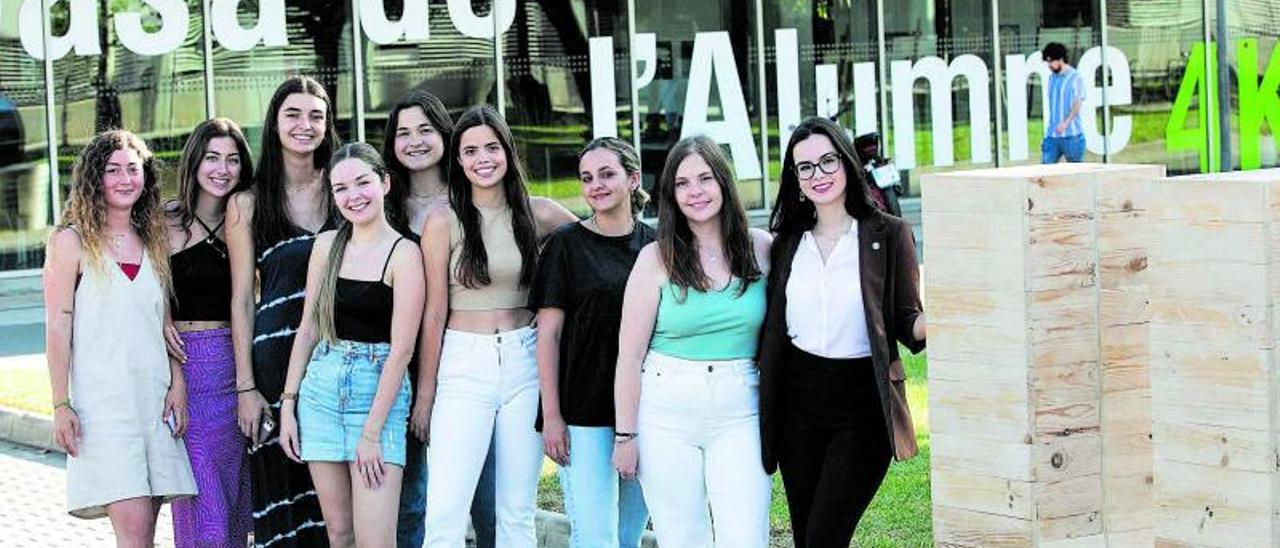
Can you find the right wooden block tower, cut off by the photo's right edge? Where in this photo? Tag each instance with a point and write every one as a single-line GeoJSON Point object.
{"type": "Point", "coordinates": [1215, 363]}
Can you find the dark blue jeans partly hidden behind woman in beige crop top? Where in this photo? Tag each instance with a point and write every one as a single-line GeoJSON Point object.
{"type": "Point", "coordinates": [410, 526]}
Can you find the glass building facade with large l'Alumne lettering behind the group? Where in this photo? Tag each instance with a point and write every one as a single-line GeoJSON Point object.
{"type": "Point", "coordinates": [948, 84]}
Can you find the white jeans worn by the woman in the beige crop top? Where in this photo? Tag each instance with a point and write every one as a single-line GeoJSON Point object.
{"type": "Point", "coordinates": [487, 389]}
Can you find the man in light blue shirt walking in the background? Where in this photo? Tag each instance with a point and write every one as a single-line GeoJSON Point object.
{"type": "Point", "coordinates": [1063, 134]}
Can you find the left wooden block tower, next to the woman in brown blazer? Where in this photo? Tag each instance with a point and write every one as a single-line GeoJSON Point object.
{"type": "Point", "coordinates": [1036, 293]}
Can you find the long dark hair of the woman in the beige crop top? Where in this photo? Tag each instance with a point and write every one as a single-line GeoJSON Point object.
{"type": "Point", "coordinates": [474, 263]}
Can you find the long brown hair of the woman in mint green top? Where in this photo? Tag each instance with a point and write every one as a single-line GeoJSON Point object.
{"type": "Point", "coordinates": [676, 241]}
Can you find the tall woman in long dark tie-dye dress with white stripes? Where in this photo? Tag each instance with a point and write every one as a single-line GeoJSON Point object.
{"type": "Point", "coordinates": [271, 232]}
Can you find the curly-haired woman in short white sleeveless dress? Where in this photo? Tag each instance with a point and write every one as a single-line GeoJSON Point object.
{"type": "Point", "coordinates": [121, 404]}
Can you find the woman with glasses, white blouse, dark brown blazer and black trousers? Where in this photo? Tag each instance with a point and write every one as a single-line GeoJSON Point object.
{"type": "Point", "coordinates": [843, 294]}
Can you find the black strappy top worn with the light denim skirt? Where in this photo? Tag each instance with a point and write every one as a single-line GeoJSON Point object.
{"type": "Point", "coordinates": [363, 309]}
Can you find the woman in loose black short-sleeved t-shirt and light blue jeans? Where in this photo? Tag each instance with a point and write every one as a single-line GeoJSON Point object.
{"type": "Point", "coordinates": [578, 295]}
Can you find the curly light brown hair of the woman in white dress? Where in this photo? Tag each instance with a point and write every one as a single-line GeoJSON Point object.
{"type": "Point", "coordinates": [86, 205]}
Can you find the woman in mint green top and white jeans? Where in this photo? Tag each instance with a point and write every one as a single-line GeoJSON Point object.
{"type": "Point", "coordinates": [687, 387]}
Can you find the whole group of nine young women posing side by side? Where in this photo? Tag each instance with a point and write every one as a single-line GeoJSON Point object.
{"type": "Point", "coordinates": [350, 348]}
